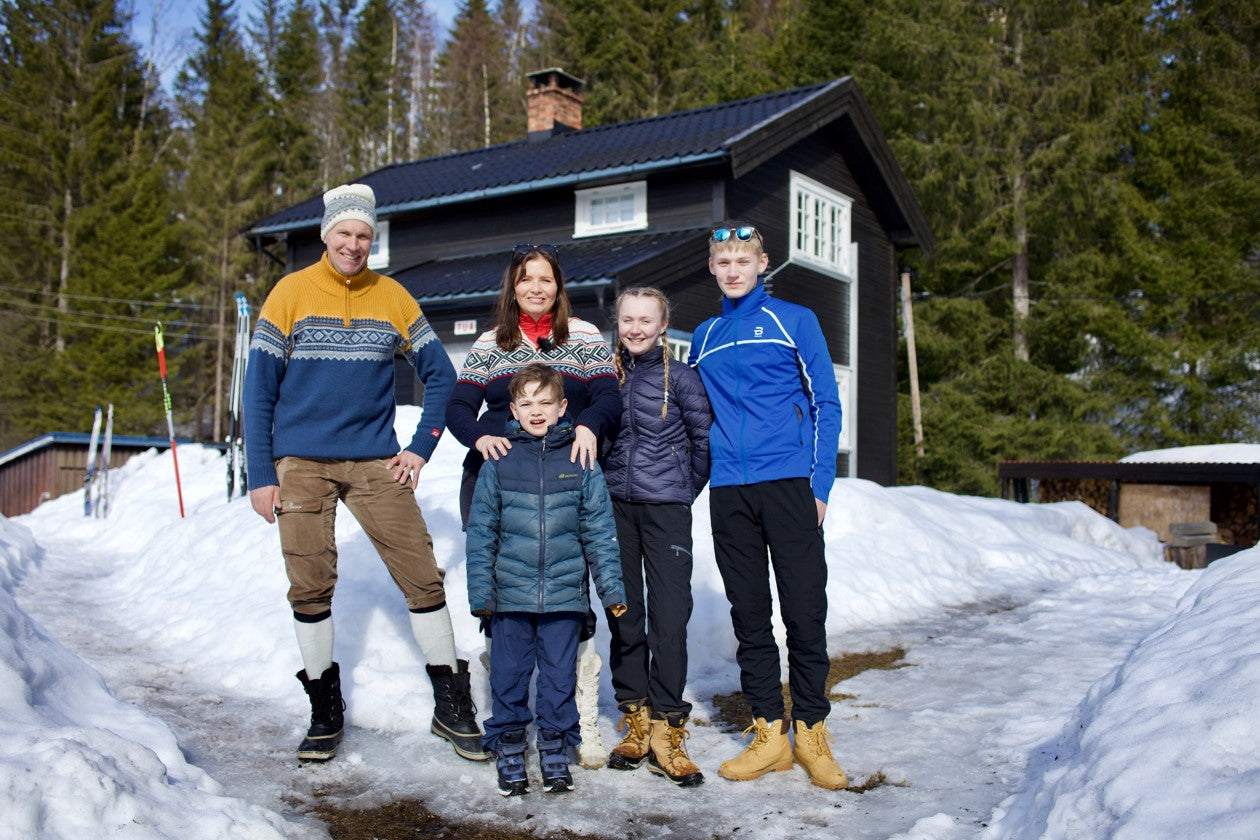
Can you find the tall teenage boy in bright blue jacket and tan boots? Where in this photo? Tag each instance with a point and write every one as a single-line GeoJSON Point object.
{"type": "Point", "coordinates": [777, 425]}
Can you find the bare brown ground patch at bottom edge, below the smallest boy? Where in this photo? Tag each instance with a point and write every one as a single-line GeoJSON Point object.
{"type": "Point", "coordinates": [411, 820]}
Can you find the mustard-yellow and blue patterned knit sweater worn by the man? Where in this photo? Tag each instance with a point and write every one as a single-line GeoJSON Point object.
{"type": "Point", "coordinates": [321, 382]}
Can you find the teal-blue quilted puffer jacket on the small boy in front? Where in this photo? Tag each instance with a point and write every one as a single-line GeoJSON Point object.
{"type": "Point", "coordinates": [536, 523]}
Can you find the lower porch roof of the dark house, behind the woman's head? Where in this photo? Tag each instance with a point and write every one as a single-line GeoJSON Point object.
{"type": "Point", "coordinates": [593, 263]}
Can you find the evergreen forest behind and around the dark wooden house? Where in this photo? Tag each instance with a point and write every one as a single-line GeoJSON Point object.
{"type": "Point", "coordinates": [1092, 172]}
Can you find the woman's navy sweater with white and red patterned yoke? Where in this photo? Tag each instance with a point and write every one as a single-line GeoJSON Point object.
{"type": "Point", "coordinates": [584, 361]}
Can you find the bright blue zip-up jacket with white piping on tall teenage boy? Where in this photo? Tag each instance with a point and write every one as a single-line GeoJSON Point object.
{"type": "Point", "coordinates": [769, 377]}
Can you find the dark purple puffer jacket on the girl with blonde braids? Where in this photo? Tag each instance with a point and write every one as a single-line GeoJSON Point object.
{"type": "Point", "coordinates": [653, 459]}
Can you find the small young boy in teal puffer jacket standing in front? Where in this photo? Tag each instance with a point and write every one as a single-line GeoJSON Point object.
{"type": "Point", "coordinates": [536, 523]}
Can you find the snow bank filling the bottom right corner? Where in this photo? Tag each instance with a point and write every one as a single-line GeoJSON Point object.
{"type": "Point", "coordinates": [1166, 745]}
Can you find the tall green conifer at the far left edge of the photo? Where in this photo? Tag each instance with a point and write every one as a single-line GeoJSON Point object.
{"type": "Point", "coordinates": [85, 186]}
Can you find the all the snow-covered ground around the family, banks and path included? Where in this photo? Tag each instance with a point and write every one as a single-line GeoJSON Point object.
{"type": "Point", "coordinates": [1060, 679]}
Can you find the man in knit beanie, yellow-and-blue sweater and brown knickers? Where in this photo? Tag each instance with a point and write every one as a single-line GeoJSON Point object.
{"type": "Point", "coordinates": [319, 411]}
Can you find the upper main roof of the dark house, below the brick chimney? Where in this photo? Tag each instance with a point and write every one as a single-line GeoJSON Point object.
{"type": "Point", "coordinates": [742, 134]}
